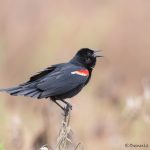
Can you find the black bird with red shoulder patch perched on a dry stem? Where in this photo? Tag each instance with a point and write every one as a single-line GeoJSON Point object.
{"type": "Point", "coordinates": [60, 81]}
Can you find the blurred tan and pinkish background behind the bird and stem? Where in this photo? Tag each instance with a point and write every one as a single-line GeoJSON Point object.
{"type": "Point", "coordinates": [113, 110]}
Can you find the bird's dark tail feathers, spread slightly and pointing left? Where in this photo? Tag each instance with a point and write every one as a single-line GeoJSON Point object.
{"type": "Point", "coordinates": [23, 91]}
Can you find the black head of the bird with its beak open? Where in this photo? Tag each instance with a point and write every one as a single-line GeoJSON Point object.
{"type": "Point", "coordinates": [86, 57]}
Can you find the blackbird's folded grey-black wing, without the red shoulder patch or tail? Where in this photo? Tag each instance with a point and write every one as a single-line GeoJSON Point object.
{"type": "Point", "coordinates": [61, 81]}
